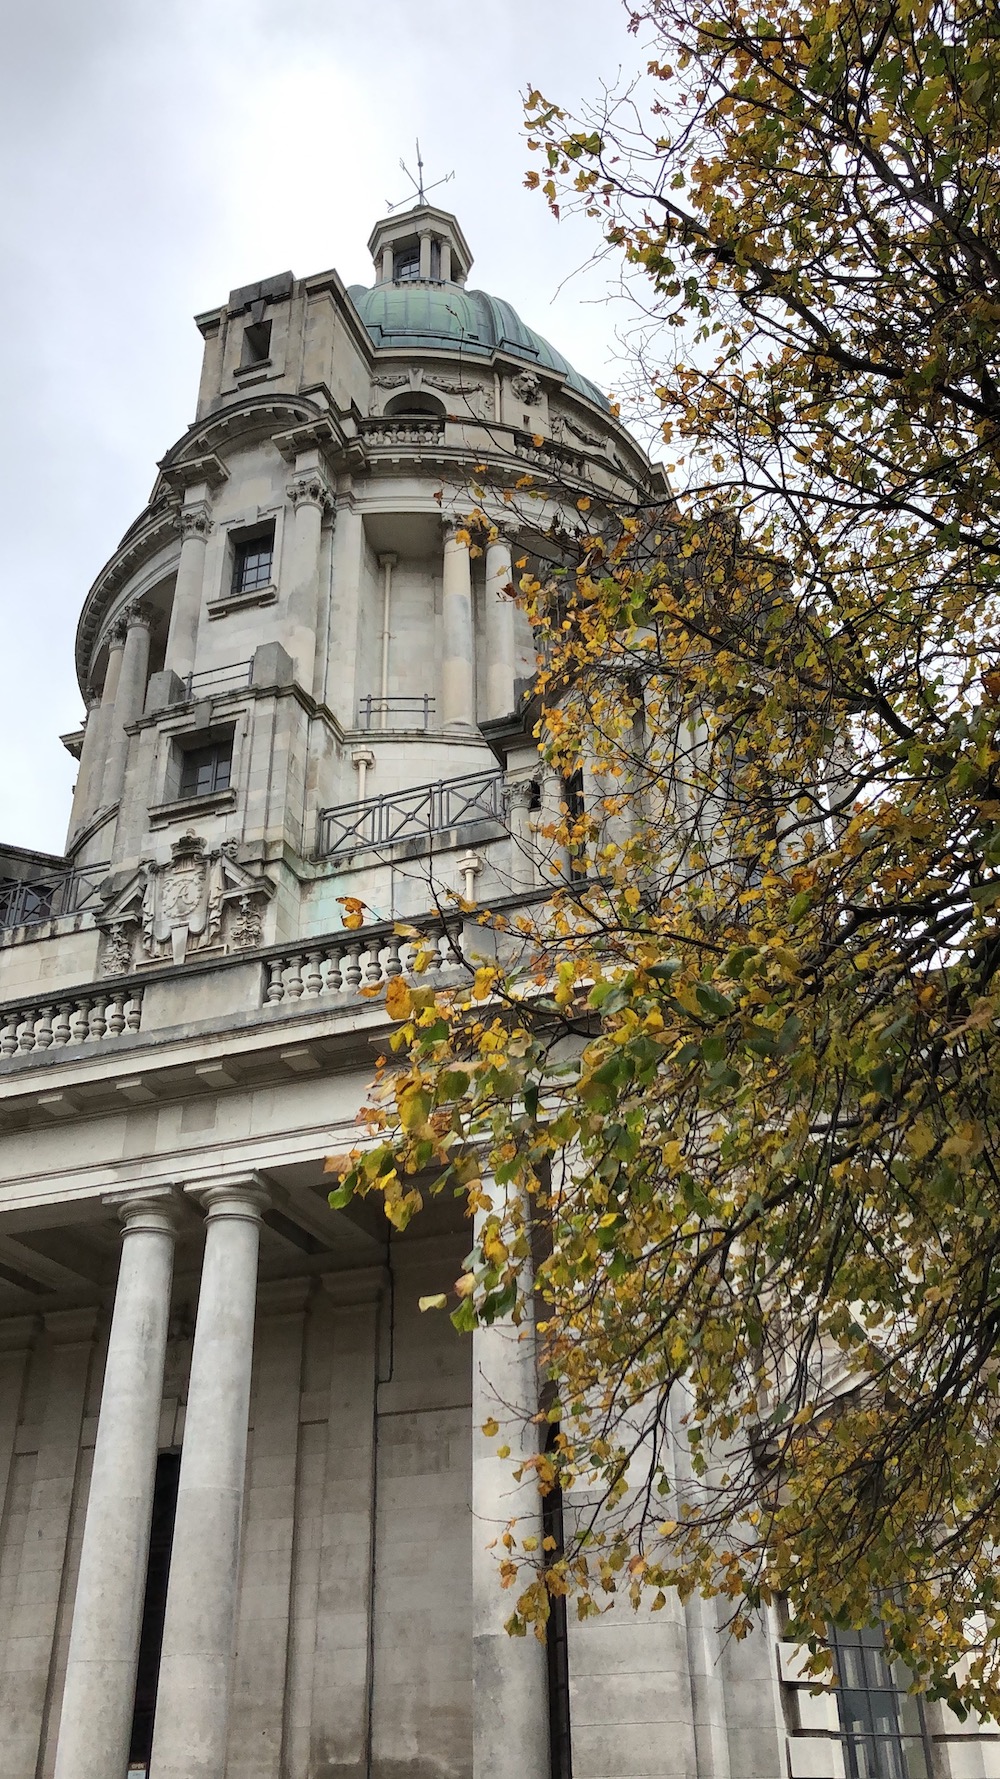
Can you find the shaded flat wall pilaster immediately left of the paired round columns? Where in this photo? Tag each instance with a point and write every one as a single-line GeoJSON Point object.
{"type": "Point", "coordinates": [31, 1629]}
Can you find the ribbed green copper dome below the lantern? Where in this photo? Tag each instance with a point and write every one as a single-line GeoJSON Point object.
{"type": "Point", "coordinates": [453, 319]}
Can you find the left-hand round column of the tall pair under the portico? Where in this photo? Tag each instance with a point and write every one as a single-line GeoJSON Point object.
{"type": "Point", "coordinates": [108, 1614]}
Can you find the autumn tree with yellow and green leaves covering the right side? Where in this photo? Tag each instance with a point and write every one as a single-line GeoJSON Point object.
{"type": "Point", "coordinates": [743, 1067]}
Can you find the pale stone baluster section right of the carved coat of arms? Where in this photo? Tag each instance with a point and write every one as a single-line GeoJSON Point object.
{"type": "Point", "coordinates": [359, 962]}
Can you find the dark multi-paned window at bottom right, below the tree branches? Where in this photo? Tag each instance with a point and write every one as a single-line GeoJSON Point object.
{"type": "Point", "coordinates": [882, 1725]}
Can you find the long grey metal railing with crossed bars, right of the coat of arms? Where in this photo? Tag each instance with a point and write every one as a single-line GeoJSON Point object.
{"type": "Point", "coordinates": [410, 814]}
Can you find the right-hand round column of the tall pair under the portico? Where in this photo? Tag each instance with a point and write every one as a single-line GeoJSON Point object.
{"type": "Point", "coordinates": [197, 1662]}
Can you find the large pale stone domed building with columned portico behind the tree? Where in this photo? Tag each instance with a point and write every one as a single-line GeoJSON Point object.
{"type": "Point", "coordinates": [245, 1501]}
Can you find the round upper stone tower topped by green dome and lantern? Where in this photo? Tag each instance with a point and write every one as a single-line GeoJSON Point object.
{"type": "Point", "coordinates": [293, 654]}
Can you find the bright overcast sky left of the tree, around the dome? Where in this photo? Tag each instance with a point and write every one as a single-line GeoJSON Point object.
{"type": "Point", "coordinates": [161, 152]}
